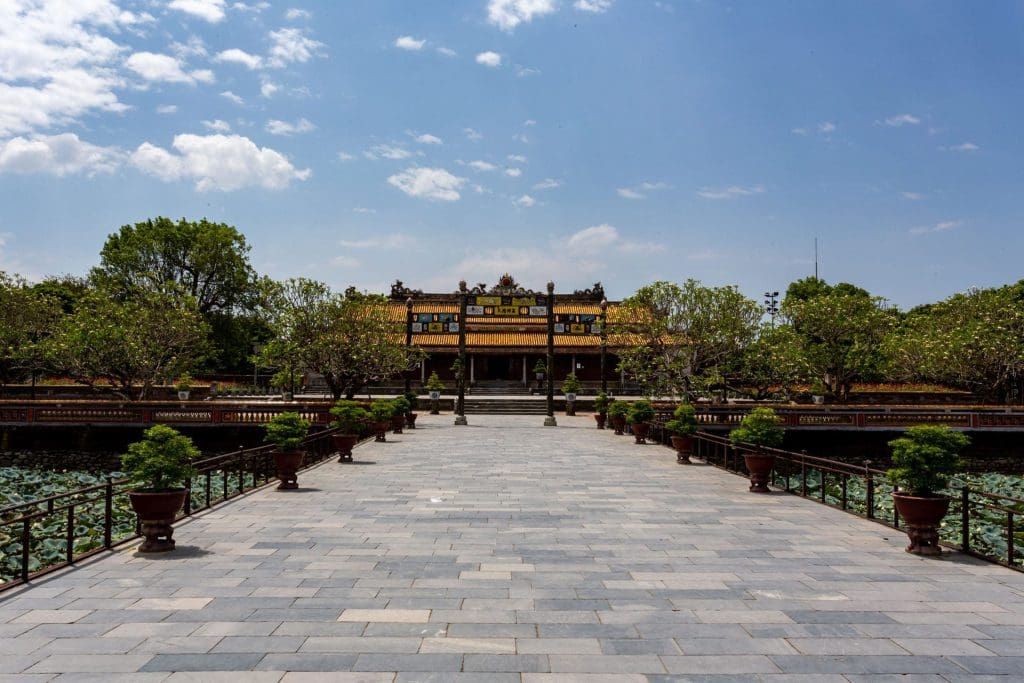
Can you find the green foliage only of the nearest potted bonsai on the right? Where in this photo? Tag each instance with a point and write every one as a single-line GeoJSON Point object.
{"type": "Point", "coordinates": [925, 458]}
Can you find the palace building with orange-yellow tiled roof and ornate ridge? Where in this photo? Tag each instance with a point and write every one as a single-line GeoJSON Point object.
{"type": "Point", "coordinates": [506, 332]}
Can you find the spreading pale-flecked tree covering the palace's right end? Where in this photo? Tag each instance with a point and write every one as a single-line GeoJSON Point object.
{"type": "Point", "coordinates": [685, 334]}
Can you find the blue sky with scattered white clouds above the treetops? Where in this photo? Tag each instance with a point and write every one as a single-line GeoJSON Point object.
{"type": "Point", "coordinates": [625, 142]}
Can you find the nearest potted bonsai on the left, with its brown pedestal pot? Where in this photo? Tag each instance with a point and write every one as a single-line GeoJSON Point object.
{"type": "Point", "coordinates": [160, 466]}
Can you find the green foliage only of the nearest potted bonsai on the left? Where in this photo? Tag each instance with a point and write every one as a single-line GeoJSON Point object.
{"type": "Point", "coordinates": [161, 461]}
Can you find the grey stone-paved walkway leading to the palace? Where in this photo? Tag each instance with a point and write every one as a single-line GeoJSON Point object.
{"type": "Point", "coordinates": [509, 551]}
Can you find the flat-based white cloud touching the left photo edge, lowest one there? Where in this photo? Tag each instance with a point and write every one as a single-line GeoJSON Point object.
{"type": "Point", "coordinates": [58, 155]}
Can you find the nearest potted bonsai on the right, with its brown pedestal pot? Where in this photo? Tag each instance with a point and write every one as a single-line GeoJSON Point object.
{"type": "Point", "coordinates": [924, 459]}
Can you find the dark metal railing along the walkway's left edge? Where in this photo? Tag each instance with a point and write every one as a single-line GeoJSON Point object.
{"type": "Point", "coordinates": [59, 531]}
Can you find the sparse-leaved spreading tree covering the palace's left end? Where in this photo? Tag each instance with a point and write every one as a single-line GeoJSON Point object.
{"type": "Point", "coordinates": [352, 339]}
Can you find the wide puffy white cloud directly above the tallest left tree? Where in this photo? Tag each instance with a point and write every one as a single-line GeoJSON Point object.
{"type": "Point", "coordinates": [223, 163]}
